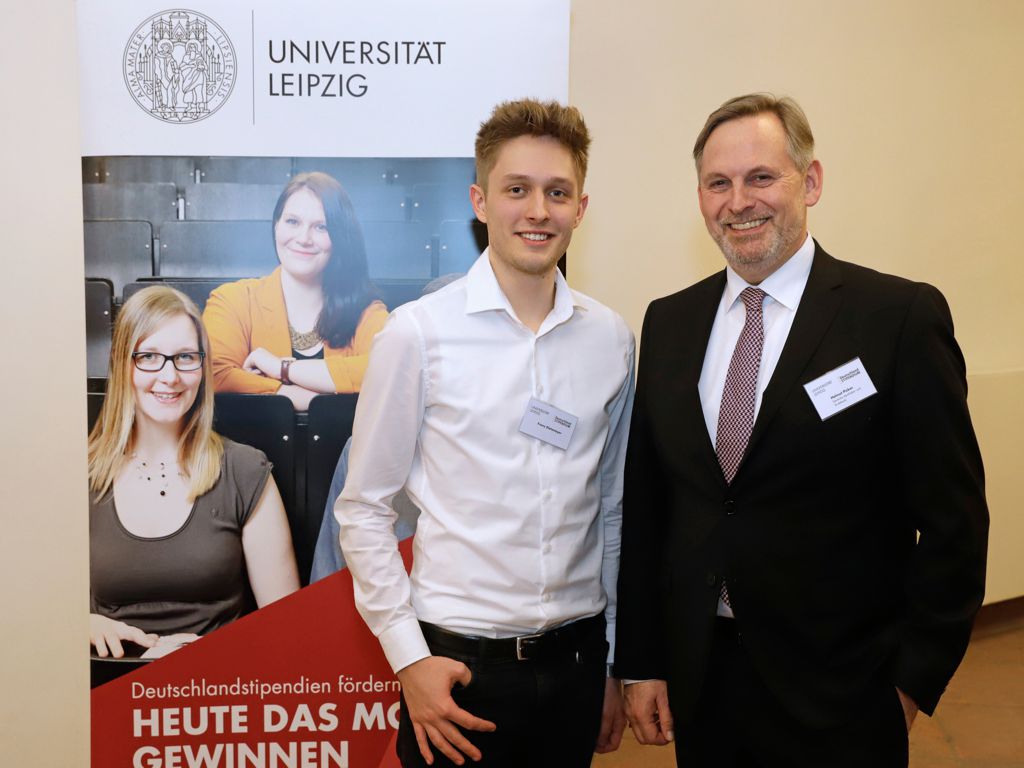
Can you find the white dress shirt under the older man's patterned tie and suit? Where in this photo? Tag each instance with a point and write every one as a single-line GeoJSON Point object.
{"type": "Point", "coordinates": [785, 288]}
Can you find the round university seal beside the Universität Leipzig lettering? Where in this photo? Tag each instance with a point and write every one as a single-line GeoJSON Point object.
{"type": "Point", "coordinates": [180, 66]}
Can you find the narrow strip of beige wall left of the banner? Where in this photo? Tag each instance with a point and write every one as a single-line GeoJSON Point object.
{"type": "Point", "coordinates": [44, 671]}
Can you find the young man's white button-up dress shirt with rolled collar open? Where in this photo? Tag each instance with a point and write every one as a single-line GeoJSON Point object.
{"type": "Point", "coordinates": [516, 536]}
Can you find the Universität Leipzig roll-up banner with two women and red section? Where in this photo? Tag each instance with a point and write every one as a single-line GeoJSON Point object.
{"type": "Point", "coordinates": [294, 172]}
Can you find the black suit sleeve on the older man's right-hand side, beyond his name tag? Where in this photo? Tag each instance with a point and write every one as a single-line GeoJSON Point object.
{"type": "Point", "coordinates": [943, 486]}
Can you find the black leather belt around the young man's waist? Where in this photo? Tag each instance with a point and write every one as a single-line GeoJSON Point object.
{"type": "Point", "coordinates": [561, 643]}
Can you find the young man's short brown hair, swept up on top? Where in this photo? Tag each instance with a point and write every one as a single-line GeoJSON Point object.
{"type": "Point", "coordinates": [529, 117]}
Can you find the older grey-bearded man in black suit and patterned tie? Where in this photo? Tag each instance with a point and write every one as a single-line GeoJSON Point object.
{"type": "Point", "coordinates": [805, 525]}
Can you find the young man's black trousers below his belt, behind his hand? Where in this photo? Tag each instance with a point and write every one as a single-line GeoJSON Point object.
{"type": "Point", "coordinates": [547, 711]}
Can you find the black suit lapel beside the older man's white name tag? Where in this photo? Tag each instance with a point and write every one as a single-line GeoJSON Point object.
{"type": "Point", "coordinates": [819, 307]}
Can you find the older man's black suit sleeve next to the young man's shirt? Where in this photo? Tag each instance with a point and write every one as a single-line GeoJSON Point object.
{"type": "Point", "coordinates": [641, 637]}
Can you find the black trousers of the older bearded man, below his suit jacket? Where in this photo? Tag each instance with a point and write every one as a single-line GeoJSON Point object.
{"type": "Point", "coordinates": [740, 724]}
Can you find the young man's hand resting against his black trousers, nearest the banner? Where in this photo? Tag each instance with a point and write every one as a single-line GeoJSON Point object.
{"type": "Point", "coordinates": [428, 688]}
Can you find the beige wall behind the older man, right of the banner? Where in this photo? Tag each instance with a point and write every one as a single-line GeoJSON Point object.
{"type": "Point", "coordinates": [918, 113]}
